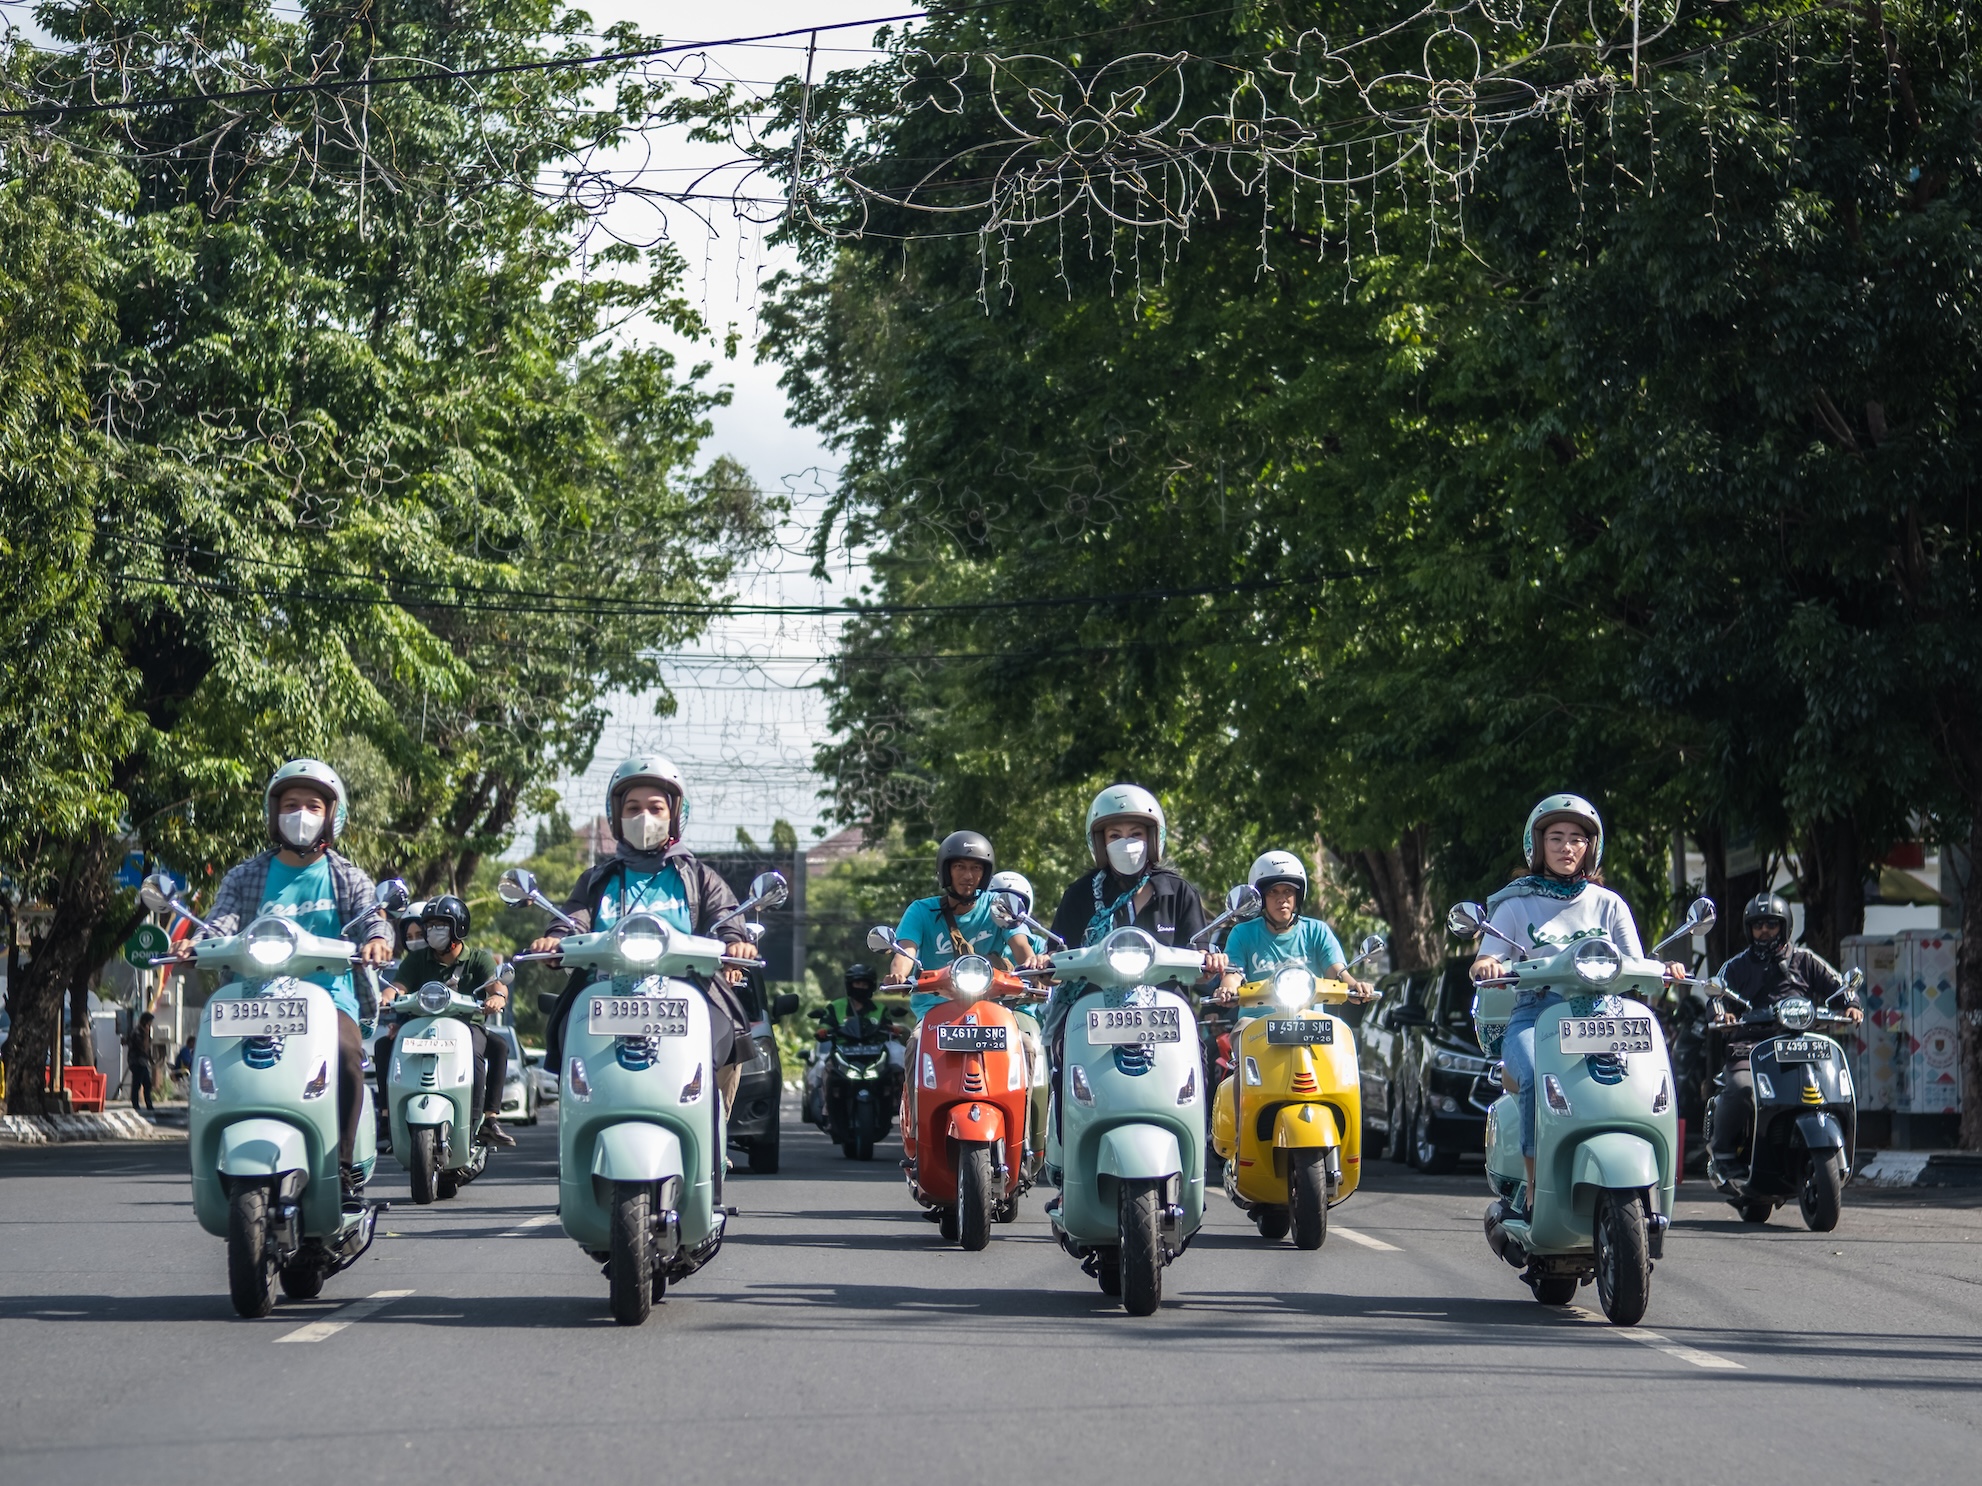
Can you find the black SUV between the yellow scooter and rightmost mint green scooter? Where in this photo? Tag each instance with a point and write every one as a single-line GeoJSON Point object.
{"type": "Point", "coordinates": [1424, 1077]}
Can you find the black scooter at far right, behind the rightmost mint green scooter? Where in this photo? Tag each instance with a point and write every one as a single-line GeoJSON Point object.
{"type": "Point", "coordinates": [1805, 1134]}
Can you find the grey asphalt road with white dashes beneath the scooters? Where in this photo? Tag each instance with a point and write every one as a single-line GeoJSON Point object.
{"type": "Point", "coordinates": [837, 1340]}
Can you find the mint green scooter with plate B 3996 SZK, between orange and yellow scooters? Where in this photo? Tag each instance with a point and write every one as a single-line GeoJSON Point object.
{"type": "Point", "coordinates": [1127, 1130]}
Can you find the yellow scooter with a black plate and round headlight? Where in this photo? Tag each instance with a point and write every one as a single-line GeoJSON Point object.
{"type": "Point", "coordinates": [1289, 1118]}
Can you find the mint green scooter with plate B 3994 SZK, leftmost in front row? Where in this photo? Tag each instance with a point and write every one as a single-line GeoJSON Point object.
{"type": "Point", "coordinates": [265, 1107]}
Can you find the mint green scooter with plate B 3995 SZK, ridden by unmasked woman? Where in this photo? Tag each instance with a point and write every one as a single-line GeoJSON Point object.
{"type": "Point", "coordinates": [1606, 1130]}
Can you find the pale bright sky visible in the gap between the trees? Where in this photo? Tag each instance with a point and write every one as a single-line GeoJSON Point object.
{"type": "Point", "coordinates": [746, 724]}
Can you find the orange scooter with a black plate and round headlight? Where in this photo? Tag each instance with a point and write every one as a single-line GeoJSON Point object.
{"type": "Point", "coordinates": [966, 1101]}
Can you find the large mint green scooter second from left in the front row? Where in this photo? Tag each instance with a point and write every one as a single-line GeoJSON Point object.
{"type": "Point", "coordinates": [639, 1130]}
